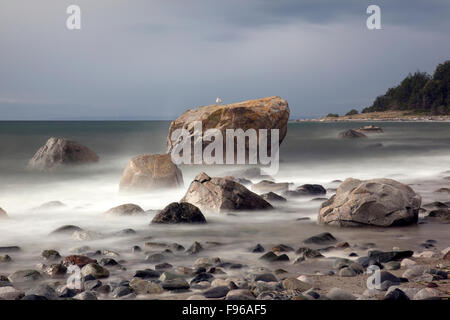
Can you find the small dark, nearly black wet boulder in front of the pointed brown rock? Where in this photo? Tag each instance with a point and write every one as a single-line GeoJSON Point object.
{"type": "Point", "coordinates": [180, 213]}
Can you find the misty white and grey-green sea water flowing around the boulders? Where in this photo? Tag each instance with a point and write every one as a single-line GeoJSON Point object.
{"type": "Point", "coordinates": [414, 153]}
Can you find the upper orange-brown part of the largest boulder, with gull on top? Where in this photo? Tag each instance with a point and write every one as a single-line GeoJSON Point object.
{"type": "Point", "coordinates": [266, 113]}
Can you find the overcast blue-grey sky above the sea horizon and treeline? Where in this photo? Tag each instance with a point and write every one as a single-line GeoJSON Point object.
{"type": "Point", "coordinates": [142, 59]}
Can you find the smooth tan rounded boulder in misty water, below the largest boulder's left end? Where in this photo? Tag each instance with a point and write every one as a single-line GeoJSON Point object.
{"type": "Point", "coordinates": [150, 172]}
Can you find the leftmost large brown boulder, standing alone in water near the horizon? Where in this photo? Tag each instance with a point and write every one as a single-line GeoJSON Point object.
{"type": "Point", "coordinates": [58, 152]}
